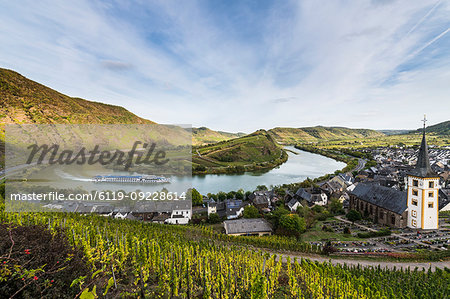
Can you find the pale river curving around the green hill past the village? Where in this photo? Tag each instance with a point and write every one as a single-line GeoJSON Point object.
{"type": "Point", "coordinates": [297, 168]}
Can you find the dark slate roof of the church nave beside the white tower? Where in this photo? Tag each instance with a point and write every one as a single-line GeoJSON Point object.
{"type": "Point", "coordinates": [384, 197]}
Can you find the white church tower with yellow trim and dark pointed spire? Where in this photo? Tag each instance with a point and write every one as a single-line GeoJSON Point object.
{"type": "Point", "coordinates": [423, 190]}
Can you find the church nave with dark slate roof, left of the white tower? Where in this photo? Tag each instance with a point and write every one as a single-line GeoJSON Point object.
{"type": "Point", "coordinates": [383, 205]}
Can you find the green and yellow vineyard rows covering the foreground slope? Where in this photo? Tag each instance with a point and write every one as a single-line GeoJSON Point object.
{"type": "Point", "coordinates": [131, 258]}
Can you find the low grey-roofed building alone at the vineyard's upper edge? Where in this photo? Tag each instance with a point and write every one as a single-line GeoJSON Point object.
{"type": "Point", "coordinates": [247, 227]}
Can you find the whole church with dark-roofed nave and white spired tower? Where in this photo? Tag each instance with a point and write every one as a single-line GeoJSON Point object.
{"type": "Point", "coordinates": [417, 208]}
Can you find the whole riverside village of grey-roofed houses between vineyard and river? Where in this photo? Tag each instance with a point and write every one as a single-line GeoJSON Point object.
{"type": "Point", "coordinates": [366, 210]}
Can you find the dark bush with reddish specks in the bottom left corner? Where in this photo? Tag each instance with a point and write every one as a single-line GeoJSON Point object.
{"type": "Point", "coordinates": [41, 264]}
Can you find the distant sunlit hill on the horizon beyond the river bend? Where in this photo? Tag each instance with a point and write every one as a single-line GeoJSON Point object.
{"type": "Point", "coordinates": [319, 133]}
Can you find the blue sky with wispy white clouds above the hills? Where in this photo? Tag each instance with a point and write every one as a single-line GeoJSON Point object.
{"type": "Point", "coordinates": [241, 65]}
